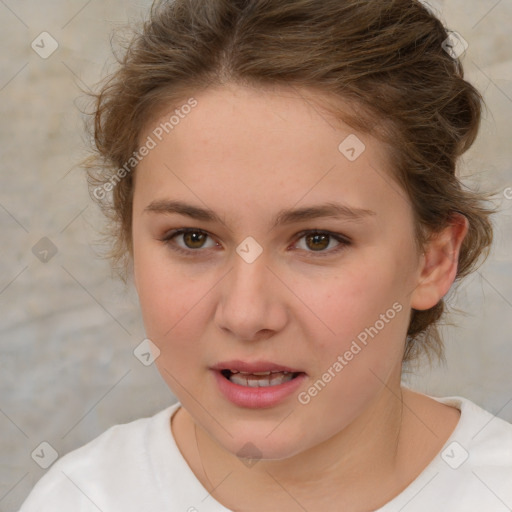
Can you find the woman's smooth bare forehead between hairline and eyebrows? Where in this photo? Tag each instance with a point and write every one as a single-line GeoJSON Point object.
{"type": "Point", "coordinates": [262, 148]}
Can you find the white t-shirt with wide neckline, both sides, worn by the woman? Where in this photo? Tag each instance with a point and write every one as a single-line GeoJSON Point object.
{"type": "Point", "coordinates": [137, 467]}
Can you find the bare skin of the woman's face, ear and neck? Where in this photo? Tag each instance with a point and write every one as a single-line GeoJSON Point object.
{"type": "Point", "coordinates": [247, 154]}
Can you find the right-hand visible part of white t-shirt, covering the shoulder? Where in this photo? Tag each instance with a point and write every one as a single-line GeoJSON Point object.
{"type": "Point", "coordinates": [472, 471]}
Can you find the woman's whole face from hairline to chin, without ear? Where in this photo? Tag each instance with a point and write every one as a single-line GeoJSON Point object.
{"type": "Point", "coordinates": [297, 257]}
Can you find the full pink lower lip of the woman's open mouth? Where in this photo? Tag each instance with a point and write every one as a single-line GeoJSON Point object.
{"type": "Point", "coordinates": [257, 398]}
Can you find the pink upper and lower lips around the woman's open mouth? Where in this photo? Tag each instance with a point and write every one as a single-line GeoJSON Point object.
{"type": "Point", "coordinates": [256, 398]}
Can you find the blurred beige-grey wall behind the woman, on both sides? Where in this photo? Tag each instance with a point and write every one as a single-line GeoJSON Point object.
{"type": "Point", "coordinates": [68, 330]}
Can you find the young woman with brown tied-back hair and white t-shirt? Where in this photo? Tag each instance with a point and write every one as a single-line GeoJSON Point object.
{"type": "Point", "coordinates": [281, 181]}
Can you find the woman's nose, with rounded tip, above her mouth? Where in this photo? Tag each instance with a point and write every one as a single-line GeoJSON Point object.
{"type": "Point", "coordinates": [252, 303]}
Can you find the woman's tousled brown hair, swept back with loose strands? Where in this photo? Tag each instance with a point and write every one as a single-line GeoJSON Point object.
{"type": "Point", "coordinates": [386, 58]}
